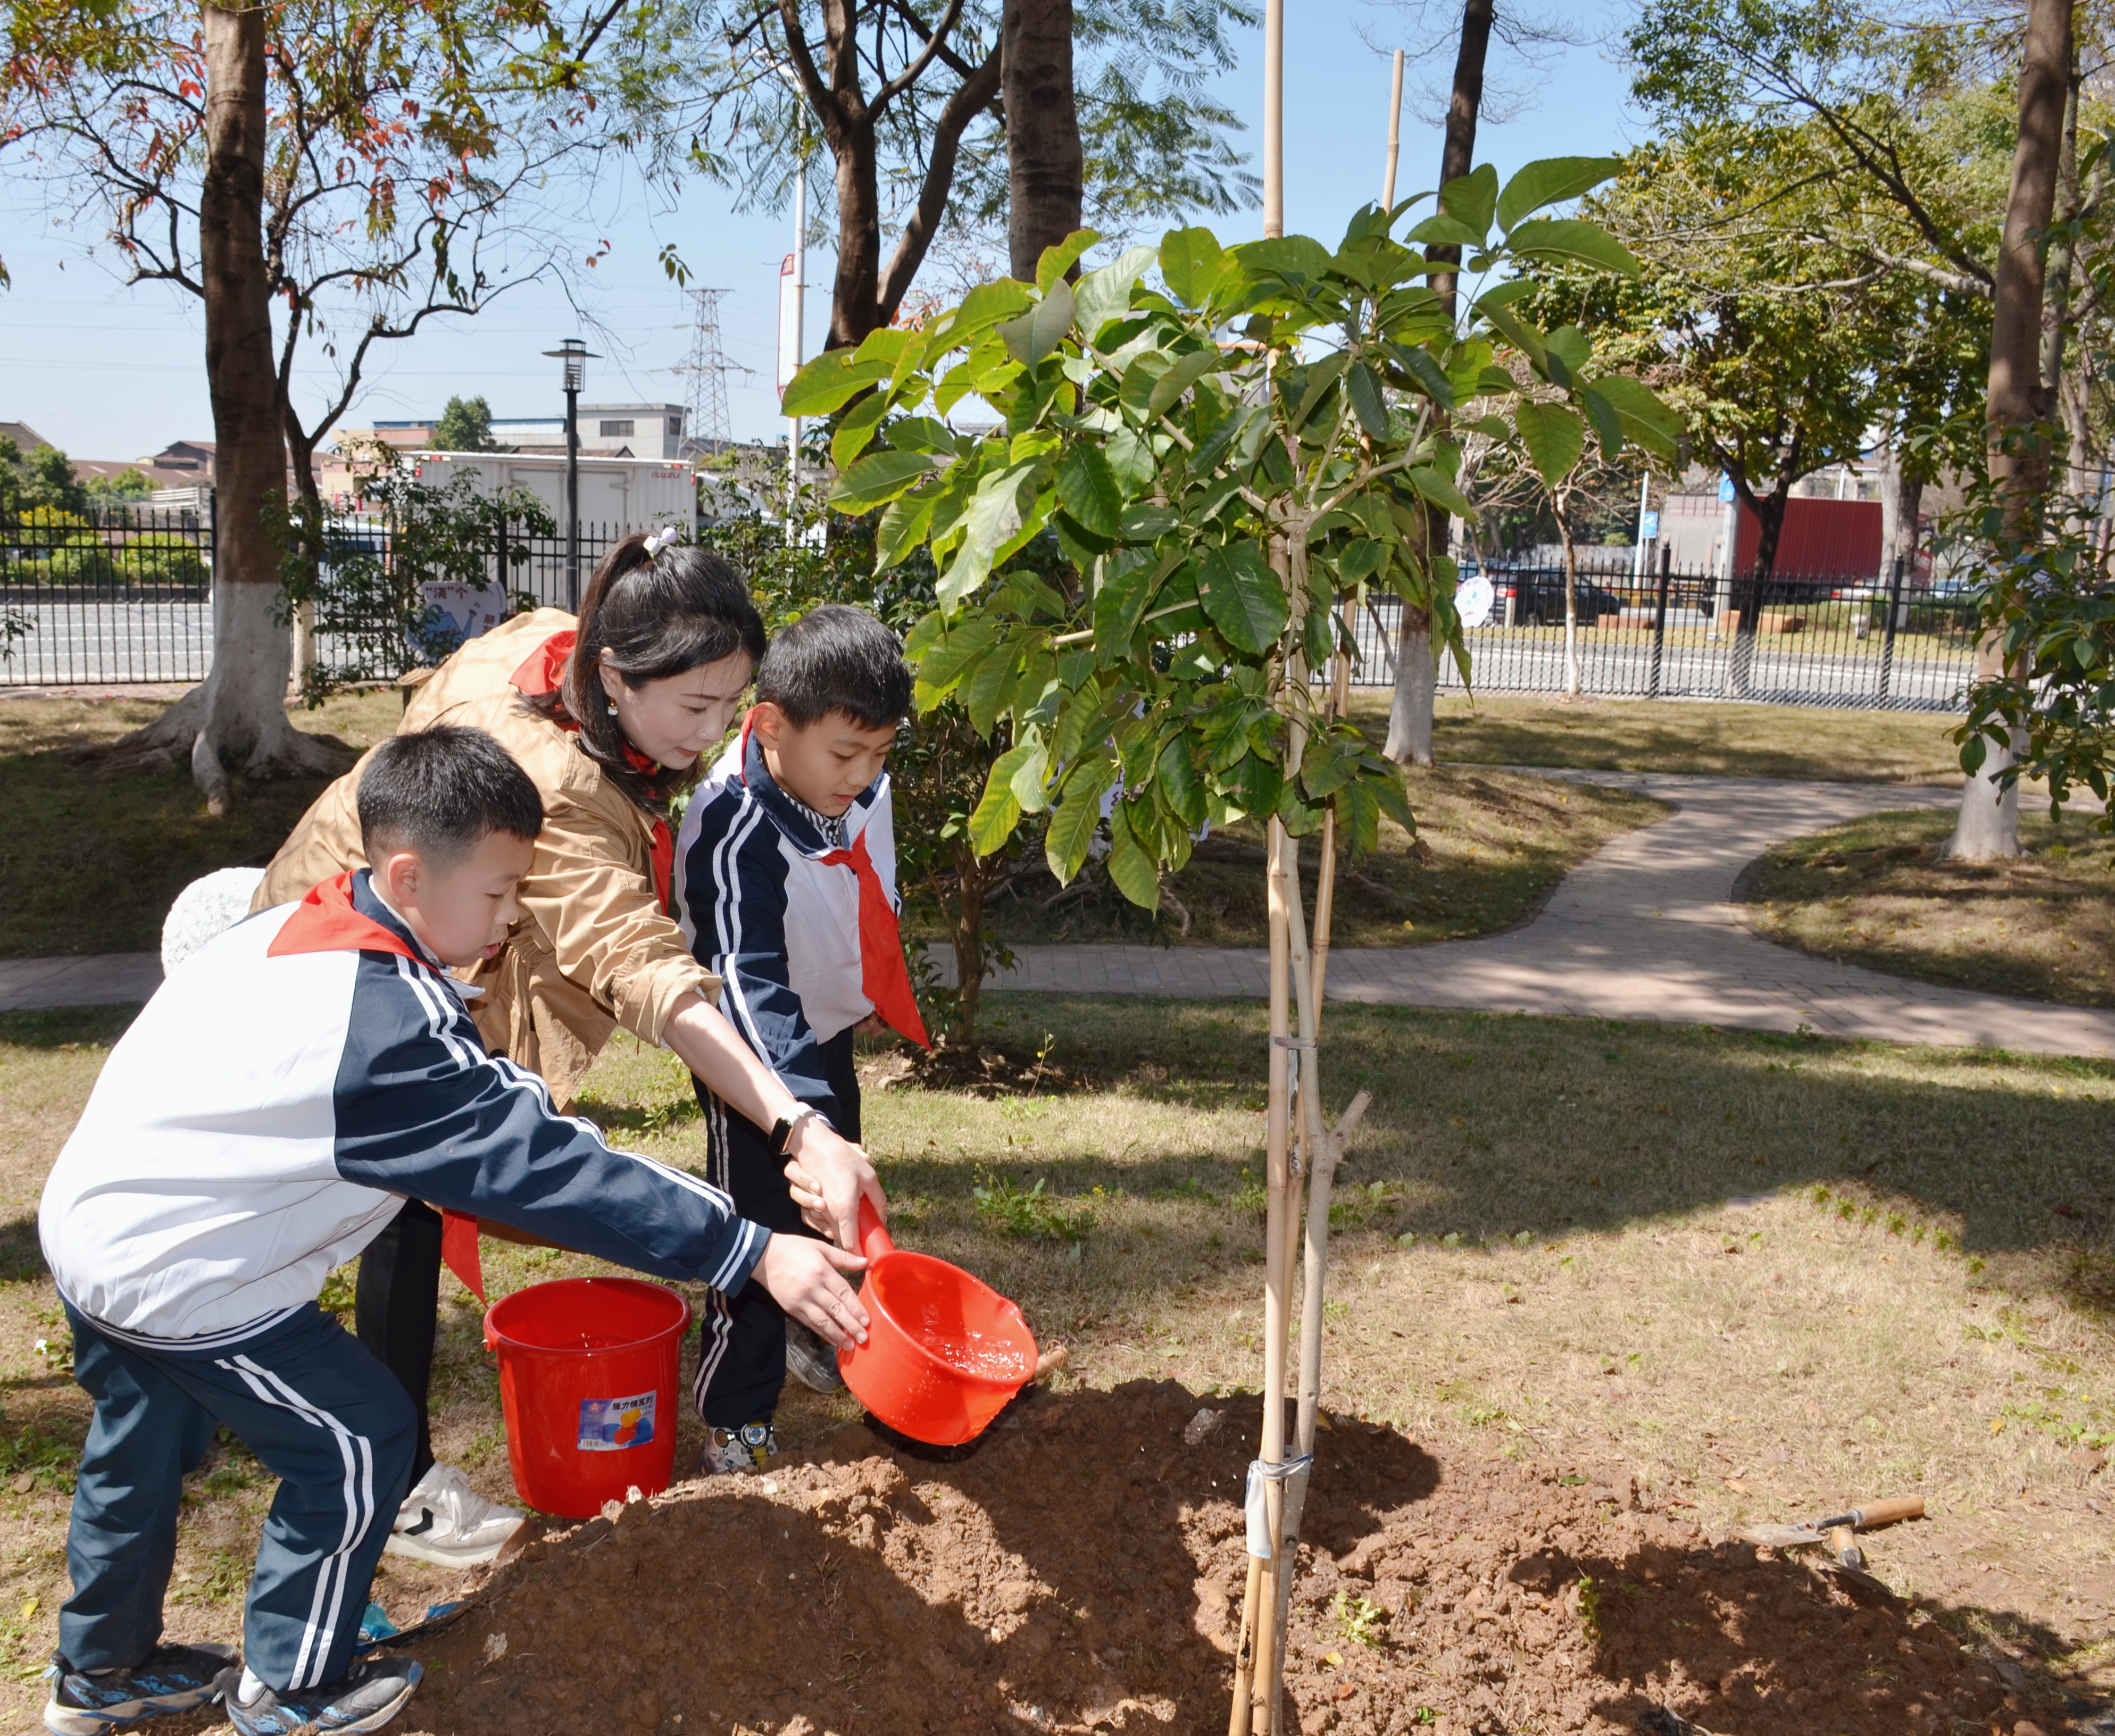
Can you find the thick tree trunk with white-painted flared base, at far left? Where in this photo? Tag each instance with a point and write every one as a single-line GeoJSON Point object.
{"type": "Point", "coordinates": [236, 722]}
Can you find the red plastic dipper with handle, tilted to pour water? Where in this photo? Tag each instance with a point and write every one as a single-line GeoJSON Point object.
{"type": "Point", "coordinates": [944, 1350]}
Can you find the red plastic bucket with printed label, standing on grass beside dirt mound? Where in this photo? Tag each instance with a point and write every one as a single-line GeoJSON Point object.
{"type": "Point", "coordinates": [589, 1375]}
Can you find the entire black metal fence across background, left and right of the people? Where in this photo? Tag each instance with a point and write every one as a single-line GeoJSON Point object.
{"type": "Point", "coordinates": [128, 597]}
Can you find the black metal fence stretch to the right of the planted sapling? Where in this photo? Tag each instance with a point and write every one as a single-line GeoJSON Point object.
{"type": "Point", "coordinates": [1788, 640]}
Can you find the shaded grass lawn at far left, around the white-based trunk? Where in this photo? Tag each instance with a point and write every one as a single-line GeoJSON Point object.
{"type": "Point", "coordinates": [92, 864]}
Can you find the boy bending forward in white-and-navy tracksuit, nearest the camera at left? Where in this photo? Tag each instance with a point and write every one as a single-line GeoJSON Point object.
{"type": "Point", "coordinates": [268, 1115]}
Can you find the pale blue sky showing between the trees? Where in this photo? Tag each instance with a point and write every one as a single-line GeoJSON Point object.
{"type": "Point", "coordinates": [113, 373]}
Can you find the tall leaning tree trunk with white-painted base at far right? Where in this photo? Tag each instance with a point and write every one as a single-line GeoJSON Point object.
{"type": "Point", "coordinates": [2019, 405]}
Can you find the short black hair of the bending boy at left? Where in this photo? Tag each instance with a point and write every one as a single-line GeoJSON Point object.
{"type": "Point", "coordinates": [441, 792]}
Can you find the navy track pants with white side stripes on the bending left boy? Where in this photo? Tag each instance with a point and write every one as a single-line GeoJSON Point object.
{"type": "Point", "coordinates": [318, 1411]}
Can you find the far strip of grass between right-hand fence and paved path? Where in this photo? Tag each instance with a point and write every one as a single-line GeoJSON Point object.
{"type": "Point", "coordinates": [1883, 747]}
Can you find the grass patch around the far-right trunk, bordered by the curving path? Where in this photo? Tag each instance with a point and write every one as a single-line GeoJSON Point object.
{"type": "Point", "coordinates": [1877, 893]}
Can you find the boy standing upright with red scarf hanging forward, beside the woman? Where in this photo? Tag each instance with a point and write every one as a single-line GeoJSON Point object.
{"type": "Point", "coordinates": [788, 887]}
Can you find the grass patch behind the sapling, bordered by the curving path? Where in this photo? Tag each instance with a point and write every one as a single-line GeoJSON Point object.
{"type": "Point", "coordinates": [1490, 851]}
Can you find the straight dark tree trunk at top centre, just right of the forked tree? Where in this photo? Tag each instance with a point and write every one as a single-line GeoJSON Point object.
{"type": "Point", "coordinates": [1046, 168]}
